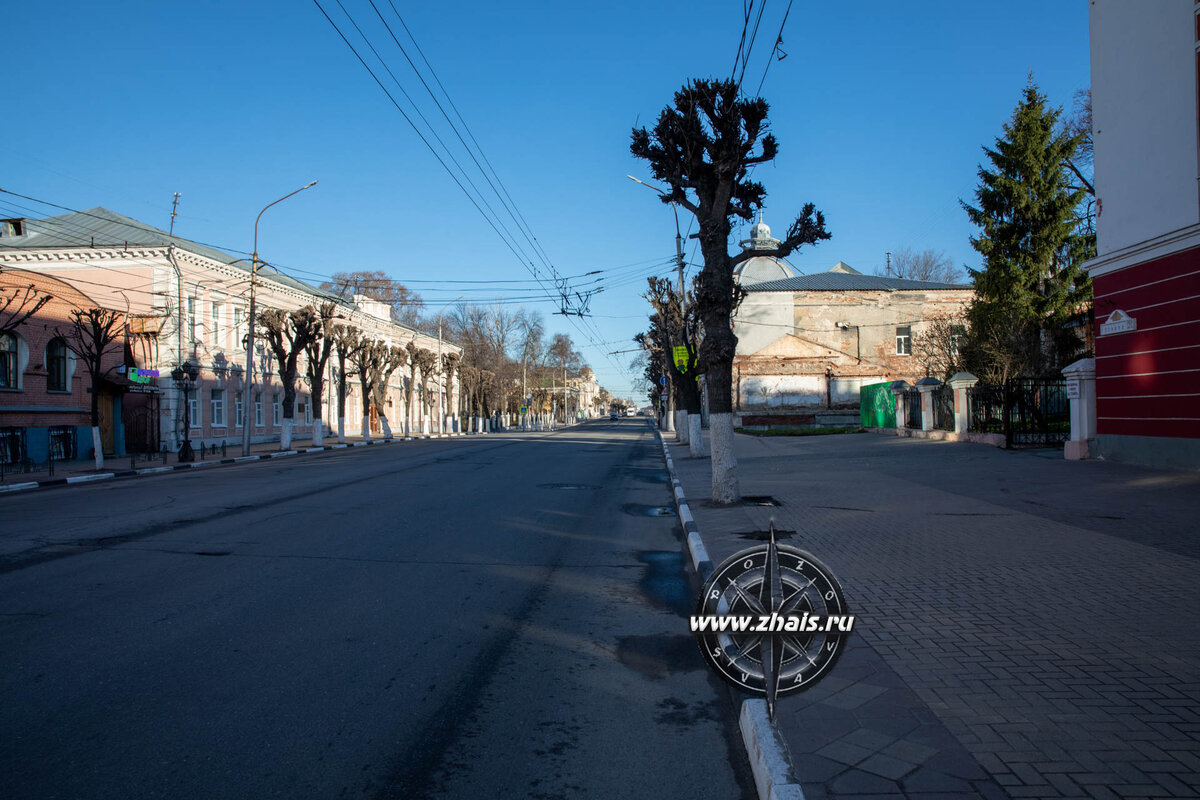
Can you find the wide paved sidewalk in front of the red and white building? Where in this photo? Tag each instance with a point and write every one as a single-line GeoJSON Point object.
{"type": "Point", "coordinates": [1025, 624]}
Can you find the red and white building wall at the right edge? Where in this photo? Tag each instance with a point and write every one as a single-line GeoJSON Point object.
{"type": "Point", "coordinates": [1147, 276]}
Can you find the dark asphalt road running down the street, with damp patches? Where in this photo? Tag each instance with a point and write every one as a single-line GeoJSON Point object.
{"type": "Point", "coordinates": [494, 617]}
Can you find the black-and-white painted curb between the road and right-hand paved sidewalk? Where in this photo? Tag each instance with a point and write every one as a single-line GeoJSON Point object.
{"type": "Point", "coordinates": [770, 760]}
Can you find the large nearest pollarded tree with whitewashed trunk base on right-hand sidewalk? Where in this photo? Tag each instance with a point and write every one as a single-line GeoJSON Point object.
{"type": "Point", "coordinates": [703, 148]}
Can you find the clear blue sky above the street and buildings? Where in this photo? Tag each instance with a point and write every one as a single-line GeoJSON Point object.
{"type": "Point", "coordinates": [880, 109]}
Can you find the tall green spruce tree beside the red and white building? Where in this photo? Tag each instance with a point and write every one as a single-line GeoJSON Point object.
{"type": "Point", "coordinates": [1033, 285]}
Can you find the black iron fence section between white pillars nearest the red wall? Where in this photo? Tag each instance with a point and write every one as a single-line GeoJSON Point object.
{"type": "Point", "coordinates": [1030, 412]}
